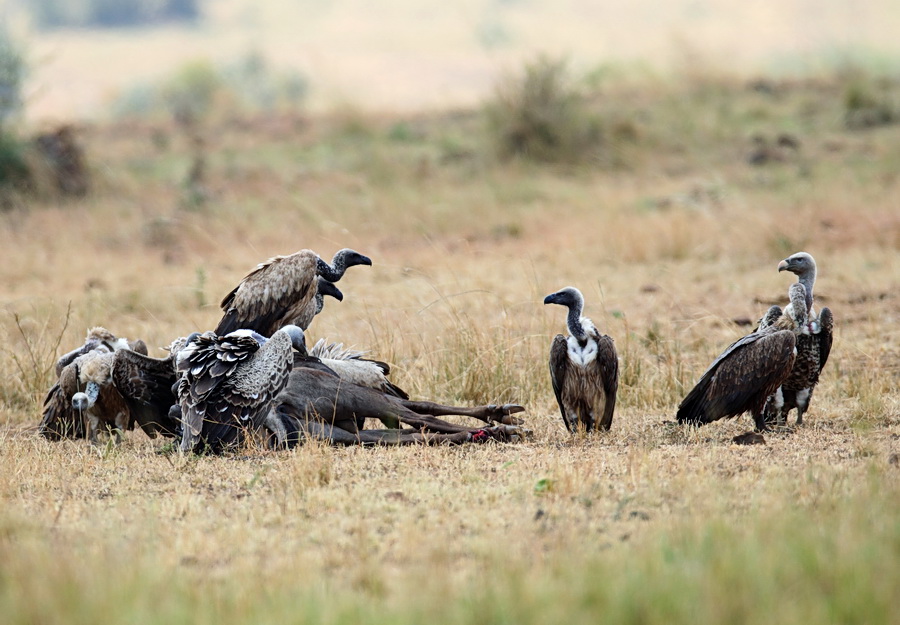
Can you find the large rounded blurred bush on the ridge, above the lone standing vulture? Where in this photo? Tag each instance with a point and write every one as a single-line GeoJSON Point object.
{"type": "Point", "coordinates": [540, 115]}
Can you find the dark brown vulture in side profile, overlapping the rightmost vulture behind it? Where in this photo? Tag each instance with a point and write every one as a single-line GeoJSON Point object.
{"type": "Point", "coordinates": [748, 371]}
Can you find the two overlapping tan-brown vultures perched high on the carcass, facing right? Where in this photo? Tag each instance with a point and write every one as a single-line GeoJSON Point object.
{"type": "Point", "coordinates": [282, 291]}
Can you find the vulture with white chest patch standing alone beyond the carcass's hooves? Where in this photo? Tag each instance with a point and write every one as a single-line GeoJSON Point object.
{"type": "Point", "coordinates": [584, 368]}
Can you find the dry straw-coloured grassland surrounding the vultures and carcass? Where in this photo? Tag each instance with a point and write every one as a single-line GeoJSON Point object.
{"type": "Point", "coordinates": [668, 230]}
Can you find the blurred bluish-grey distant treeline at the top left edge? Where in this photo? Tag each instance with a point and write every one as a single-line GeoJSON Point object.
{"type": "Point", "coordinates": [111, 13]}
